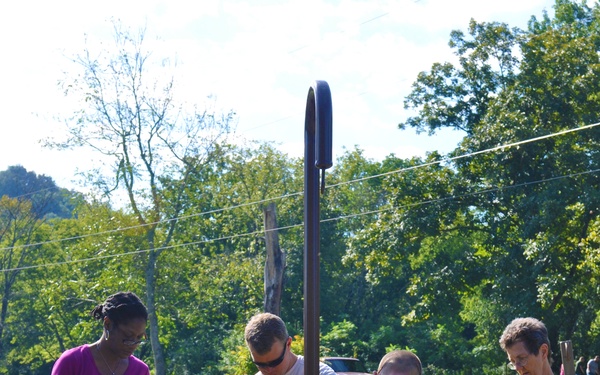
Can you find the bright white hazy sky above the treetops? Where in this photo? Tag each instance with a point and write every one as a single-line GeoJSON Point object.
{"type": "Point", "coordinates": [257, 58]}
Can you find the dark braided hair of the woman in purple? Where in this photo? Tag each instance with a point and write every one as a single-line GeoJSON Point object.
{"type": "Point", "coordinates": [121, 308]}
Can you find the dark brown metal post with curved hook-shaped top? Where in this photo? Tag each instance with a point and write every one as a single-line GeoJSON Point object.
{"type": "Point", "coordinates": [317, 129]}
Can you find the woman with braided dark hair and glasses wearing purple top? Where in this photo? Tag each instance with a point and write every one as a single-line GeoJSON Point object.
{"type": "Point", "coordinates": [124, 318]}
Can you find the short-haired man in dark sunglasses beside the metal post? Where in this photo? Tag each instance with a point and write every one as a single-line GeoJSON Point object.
{"type": "Point", "coordinates": [270, 346]}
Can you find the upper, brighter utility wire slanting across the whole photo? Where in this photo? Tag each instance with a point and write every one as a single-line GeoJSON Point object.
{"type": "Point", "coordinates": [443, 160]}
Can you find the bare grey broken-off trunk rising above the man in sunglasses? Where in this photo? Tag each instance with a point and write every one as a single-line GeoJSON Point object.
{"type": "Point", "coordinates": [274, 264]}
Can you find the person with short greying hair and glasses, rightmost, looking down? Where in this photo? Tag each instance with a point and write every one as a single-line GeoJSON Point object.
{"type": "Point", "coordinates": [525, 341]}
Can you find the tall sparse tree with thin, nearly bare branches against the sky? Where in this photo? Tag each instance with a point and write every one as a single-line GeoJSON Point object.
{"type": "Point", "coordinates": [128, 114]}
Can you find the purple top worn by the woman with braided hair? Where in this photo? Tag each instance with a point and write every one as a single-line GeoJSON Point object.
{"type": "Point", "coordinates": [79, 361]}
